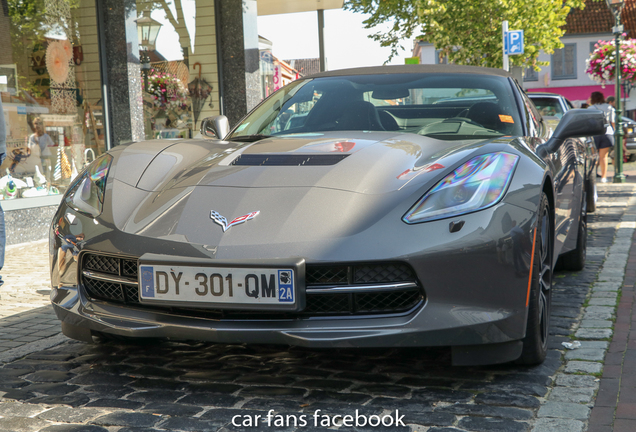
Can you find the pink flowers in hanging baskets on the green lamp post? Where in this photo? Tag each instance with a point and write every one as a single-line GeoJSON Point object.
{"type": "Point", "coordinates": [602, 62]}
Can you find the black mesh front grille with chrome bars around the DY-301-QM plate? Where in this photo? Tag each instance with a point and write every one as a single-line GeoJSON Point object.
{"type": "Point", "coordinates": [323, 278]}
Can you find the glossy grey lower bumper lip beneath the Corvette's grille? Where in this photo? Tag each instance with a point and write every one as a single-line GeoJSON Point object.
{"type": "Point", "coordinates": [431, 325]}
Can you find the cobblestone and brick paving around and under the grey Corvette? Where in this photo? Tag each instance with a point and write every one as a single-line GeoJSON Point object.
{"type": "Point", "coordinates": [51, 384]}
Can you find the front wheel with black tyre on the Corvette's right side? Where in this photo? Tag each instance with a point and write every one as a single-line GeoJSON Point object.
{"type": "Point", "coordinates": [535, 344]}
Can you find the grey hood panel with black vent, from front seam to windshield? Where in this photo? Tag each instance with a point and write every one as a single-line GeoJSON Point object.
{"type": "Point", "coordinates": [367, 163]}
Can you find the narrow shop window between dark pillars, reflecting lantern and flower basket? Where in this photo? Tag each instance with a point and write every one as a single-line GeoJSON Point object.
{"type": "Point", "coordinates": [177, 54]}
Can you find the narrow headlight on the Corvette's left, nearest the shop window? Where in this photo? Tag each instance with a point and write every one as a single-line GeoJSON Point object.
{"type": "Point", "coordinates": [86, 194]}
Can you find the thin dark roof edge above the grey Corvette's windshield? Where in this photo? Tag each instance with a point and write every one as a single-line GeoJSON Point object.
{"type": "Point", "coordinates": [423, 69]}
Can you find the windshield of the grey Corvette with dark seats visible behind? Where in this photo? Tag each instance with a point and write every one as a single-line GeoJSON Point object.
{"type": "Point", "coordinates": [443, 106]}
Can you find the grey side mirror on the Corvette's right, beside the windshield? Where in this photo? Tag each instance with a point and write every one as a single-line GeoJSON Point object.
{"type": "Point", "coordinates": [576, 123]}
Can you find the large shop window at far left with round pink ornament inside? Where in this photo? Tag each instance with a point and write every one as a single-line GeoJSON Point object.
{"type": "Point", "coordinates": [51, 95]}
